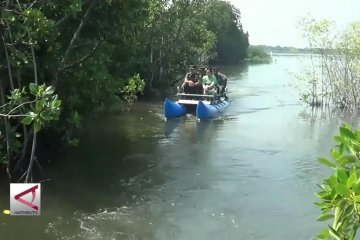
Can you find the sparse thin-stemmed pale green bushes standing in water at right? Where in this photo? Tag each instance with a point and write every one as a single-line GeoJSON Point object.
{"type": "Point", "coordinates": [334, 76]}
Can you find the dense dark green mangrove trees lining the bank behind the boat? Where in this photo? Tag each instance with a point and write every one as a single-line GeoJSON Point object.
{"type": "Point", "coordinates": [63, 61]}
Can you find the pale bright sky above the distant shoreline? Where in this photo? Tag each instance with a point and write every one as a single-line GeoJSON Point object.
{"type": "Point", "coordinates": [275, 22]}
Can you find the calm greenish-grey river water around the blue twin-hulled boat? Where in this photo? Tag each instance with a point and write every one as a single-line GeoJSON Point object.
{"type": "Point", "coordinates": [250, 174]}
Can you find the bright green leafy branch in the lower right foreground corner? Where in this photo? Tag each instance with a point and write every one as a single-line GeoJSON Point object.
{"type": "Point", "coordinates": [340, 192]}
